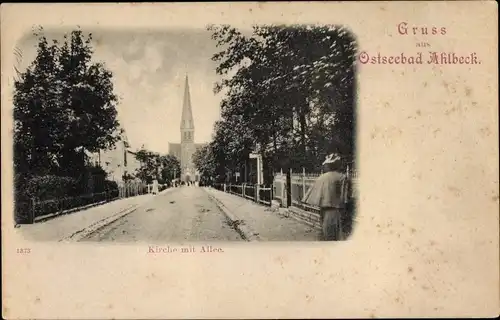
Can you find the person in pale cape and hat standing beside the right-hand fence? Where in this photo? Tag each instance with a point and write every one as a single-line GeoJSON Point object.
{"type": "Point", "coordinates": [329, 193]}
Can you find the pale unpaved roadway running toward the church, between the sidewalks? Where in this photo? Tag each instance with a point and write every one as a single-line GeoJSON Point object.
{"type": "Point", "coordinates": [185, 214]}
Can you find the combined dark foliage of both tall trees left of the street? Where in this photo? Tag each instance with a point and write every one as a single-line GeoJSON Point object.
{"type": "Point", "coordinates": [63, 104]}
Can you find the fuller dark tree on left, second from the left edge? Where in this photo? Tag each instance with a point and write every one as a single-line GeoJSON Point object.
{"type": "Point", "coordinates": [90, 103]}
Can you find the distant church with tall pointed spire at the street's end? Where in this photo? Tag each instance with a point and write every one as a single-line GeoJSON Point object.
{"type": "Point", "coordinates": [184, 151]}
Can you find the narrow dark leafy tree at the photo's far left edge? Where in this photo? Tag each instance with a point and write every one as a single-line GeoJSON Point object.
{"type": "Point", "coordinates": [36, 109]}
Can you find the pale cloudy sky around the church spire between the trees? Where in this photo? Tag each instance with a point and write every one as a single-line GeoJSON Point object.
{"type": "Point", "coordinates": [149, 69]}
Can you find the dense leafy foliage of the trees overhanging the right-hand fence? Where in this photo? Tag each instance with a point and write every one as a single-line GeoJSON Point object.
{"type": "Point", "coordinates": [288, 94]}
